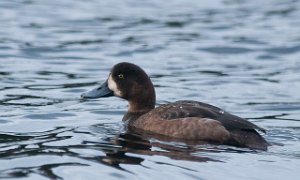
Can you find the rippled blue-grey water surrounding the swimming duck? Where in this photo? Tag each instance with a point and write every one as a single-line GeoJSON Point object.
{"type": "Point", "coordinates": [240, 55]}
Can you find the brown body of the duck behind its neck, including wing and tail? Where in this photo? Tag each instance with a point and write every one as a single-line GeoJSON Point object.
{"type": "Point", "coordinates": [200, 121]}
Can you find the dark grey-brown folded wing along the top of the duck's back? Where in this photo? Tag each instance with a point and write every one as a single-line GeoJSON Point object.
{"type": "Point", "coordinates": [182, 109]}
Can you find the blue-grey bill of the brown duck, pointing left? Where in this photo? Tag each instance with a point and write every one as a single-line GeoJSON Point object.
{"type": "Point", "coordinates": [98, 92]}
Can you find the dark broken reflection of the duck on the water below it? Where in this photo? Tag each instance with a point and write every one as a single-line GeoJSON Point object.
{"type": "Point", "coordinates": [138, 144]}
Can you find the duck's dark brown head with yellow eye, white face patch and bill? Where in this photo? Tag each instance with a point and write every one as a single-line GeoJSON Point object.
{"type": "Point", "coordinates": [130, 82]}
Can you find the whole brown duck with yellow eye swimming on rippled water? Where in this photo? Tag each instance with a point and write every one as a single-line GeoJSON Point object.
{"type": "Point", "coordinates": [185, 120]}
